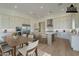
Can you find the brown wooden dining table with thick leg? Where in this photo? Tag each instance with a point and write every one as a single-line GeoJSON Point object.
{"type": "Point", "coordinates": [20, 40]}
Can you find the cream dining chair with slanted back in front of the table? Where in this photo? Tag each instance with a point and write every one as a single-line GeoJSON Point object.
{"type": "Point", "coordinates": [29, 50]}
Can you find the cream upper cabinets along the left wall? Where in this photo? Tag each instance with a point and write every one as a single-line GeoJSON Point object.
{"type": "Point", "coordinates": [8, 21]}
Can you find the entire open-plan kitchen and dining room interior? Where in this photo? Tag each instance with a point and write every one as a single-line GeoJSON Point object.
{"type": "Point", "coordinates": [39, 29]}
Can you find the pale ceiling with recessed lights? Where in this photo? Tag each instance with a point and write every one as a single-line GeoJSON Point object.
{"type": "Point", "coordinates": [38, 10]}
